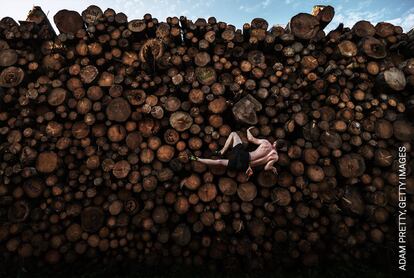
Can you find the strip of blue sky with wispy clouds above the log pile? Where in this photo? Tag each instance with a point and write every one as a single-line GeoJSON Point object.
{"type": "Point", "coordinates": [234, 12]}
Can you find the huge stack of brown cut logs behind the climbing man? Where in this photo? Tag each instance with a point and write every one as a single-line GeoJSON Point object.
{"type": "Point", "coordinates": [96, 124]}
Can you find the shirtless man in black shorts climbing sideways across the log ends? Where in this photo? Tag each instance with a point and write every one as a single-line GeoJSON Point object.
{"type": "Point", "coordinates": [242, 160]}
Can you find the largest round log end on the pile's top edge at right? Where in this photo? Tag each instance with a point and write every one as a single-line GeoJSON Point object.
{"type": "Point", "coordinates": [304, 26]}
